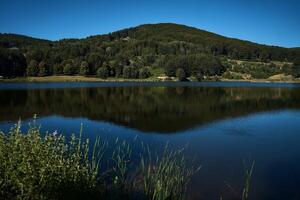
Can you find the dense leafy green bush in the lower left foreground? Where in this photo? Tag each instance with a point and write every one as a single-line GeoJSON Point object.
{"type": "Point", "coordinates": [45, 167]}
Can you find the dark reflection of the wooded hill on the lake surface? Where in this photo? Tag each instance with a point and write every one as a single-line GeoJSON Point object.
{"type": "Point", "coordinates": [161, 109]}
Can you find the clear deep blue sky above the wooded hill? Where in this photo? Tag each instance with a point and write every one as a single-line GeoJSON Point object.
{"type": "Point", "coordinates": [272, 22]}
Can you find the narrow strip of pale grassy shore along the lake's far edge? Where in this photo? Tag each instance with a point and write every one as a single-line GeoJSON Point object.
{"type": "Point", "coordinates": [151, 79]}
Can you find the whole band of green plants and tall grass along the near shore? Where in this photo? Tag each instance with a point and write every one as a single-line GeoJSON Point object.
{"type": "Point", "coordinates": [50, 166]}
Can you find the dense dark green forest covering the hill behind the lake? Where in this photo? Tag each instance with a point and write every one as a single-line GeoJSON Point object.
{"type": "Point", "coordinates": [133, 53]}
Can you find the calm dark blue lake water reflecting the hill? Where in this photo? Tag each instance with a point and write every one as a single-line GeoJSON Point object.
{"type": "Point", "coordinates": [221, 124]}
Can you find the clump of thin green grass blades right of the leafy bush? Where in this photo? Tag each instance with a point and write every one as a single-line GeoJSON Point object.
{"type": "Point", "coordinates": [167, 177]}
